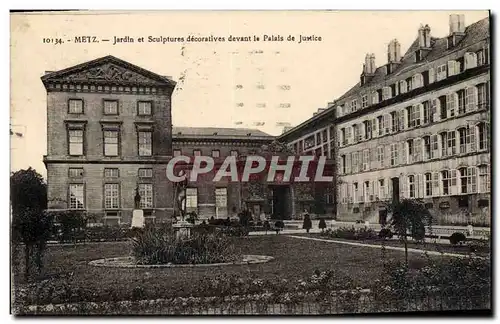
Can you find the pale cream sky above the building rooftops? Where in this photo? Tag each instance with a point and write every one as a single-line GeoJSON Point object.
{"type": "Point", "coordinates": [261, 84]}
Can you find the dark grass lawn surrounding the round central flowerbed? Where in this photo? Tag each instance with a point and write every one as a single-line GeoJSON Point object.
{"type": "Point", "coordinates": [294, 259]}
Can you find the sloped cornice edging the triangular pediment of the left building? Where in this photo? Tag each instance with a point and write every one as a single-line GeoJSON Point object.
{"type": "Point", "coordinates": [102, 61]}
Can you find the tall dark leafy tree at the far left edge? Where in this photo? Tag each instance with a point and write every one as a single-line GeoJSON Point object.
{"type": "Point", "coordinates": [31, 224]}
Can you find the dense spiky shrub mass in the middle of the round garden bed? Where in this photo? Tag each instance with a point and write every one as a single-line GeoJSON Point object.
{"type": "Point", "coordinates": [154, 247]}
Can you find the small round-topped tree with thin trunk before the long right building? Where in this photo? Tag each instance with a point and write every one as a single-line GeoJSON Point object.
{"type": "Point", "coordinates": [409, 218]}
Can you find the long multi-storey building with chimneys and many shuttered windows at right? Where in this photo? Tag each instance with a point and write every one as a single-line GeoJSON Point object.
{"type": "Point", "coordinates": [417, 127]}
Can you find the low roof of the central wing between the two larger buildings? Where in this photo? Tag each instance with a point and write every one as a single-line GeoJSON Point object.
{"type": "Point", "coordinates": [216, 132]}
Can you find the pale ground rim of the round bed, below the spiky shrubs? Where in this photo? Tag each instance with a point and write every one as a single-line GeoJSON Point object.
{"type": "Point", "coordinates": [130, 262]}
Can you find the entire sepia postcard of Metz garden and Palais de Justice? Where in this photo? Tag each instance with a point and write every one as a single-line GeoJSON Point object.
{"type": "Point", "coordinates": [250, 162]}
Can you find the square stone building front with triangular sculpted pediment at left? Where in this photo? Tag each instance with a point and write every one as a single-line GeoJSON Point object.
{"type": "Point", "coordinates": [109, 132]}
